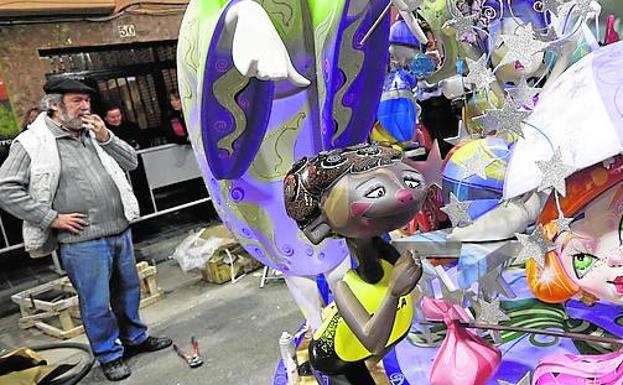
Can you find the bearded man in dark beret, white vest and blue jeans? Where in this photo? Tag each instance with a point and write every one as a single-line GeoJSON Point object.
{"type": "Point", "coordinates": [64, 178]}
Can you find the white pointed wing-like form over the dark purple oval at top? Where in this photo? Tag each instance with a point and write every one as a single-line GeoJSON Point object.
{"type": "Point", "coordinates": [257, 49]}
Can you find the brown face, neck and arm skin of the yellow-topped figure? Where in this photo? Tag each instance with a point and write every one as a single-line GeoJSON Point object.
{"type": "Point", "coordinates": [356, 210]}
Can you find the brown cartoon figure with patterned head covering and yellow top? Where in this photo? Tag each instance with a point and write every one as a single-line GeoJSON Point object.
{"type": "Point", "coordinates": [359, 193]}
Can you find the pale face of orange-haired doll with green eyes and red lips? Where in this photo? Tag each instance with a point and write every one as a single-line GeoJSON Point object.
{"type": "Point", "coordinates": [594, 259]}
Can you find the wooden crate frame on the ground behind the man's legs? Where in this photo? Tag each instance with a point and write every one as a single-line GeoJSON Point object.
{"type": "Point", "coordinates": [53, 307]}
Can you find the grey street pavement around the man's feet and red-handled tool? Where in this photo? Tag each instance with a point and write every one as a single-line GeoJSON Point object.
{"type": "Point", "coordinates": [237, 325]}
